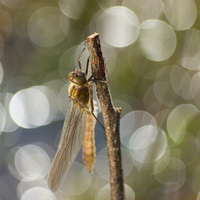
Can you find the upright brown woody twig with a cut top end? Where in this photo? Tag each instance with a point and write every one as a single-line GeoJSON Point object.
{"type": "Point", "coordinates": [111, 117]}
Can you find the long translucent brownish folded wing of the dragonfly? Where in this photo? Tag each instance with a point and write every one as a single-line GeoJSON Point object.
{"type": "Point", "coordinates": [70, 143]}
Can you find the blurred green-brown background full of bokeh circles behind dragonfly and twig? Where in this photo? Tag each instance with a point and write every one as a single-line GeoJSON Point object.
{"type": "Point", "coordinates": [152, 51]}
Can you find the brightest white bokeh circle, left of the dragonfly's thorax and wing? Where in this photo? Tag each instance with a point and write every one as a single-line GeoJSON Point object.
{"type": "Point", "coordinates": [29, 108]}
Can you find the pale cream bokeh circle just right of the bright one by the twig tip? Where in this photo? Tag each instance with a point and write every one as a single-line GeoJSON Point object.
{"type": "Point", "coordinates": [157, 40]}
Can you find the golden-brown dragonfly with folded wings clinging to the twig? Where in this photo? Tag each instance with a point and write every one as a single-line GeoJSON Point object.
{"type": "Point", "coordinates": [78, 128]}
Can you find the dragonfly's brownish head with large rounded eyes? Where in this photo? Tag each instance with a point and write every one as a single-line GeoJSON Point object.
{"type": "Point", "coordinates": [77, 77]}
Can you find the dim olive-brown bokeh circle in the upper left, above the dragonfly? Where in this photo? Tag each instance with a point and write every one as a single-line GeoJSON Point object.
{"type": "Point", "coordinates": [45, 28]}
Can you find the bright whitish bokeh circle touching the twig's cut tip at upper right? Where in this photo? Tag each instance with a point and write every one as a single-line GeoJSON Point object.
{"type": "Point", "coordinates": [118, 26]}
